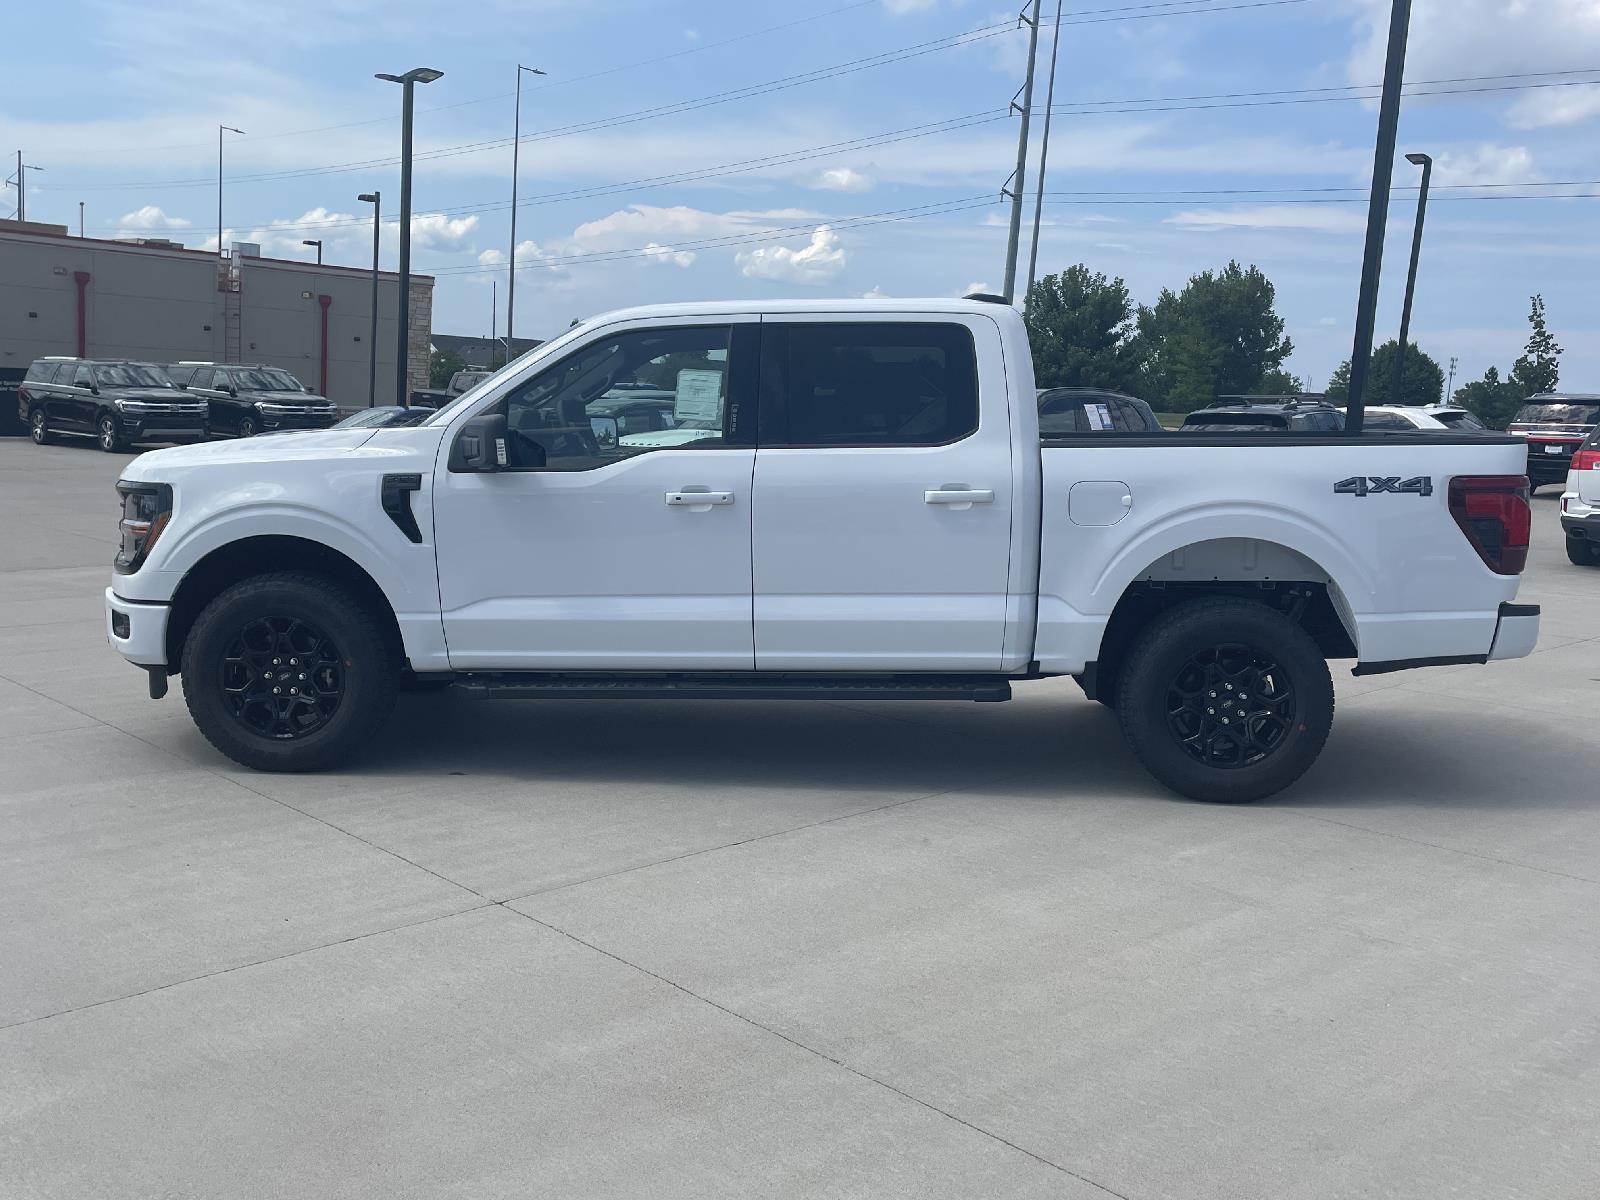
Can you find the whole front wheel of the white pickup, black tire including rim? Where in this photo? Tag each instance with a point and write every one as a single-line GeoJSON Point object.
{"type": "Point", "coordinates": [353, 673]}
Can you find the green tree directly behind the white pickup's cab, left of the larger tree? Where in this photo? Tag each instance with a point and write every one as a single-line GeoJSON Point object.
{"type": "Point", "coordinates": [1082, 332]}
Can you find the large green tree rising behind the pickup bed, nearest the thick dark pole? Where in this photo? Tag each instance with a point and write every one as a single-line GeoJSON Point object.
{"type": "Point", "coordinates": [1220, 337]}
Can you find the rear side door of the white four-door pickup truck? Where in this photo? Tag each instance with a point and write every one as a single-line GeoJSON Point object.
{"type": "Point", "coordinates": [881, 558]}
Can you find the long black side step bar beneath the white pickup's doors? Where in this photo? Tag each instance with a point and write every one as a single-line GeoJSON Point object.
{"type": "Point", "coordinates": [730, 686]}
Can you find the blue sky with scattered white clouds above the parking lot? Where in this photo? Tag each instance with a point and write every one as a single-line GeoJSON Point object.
{"type": "Point", "coordinates": [694, 150]}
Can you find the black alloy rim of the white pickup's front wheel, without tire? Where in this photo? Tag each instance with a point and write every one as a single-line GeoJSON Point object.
{"type": "Point", "coordinates": [282, 678]}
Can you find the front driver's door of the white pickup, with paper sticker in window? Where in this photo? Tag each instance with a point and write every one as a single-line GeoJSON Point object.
{"type": "Point", "coordinates": [596, 551]}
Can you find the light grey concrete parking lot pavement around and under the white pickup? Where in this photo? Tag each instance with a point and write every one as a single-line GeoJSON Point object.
{"type": "Point", "coordinates": [809, 950]}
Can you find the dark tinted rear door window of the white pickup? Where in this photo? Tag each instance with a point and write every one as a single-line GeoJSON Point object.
{"type": "Point", "coordinates": [868, 385]}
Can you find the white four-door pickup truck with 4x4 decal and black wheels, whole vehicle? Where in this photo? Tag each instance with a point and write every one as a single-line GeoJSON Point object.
{"type": "Point", "coordinates": [870, 513]}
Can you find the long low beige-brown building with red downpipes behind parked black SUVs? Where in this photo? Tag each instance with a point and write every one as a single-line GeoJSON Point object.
{"type": "Point", "coordinates": [162, 303]}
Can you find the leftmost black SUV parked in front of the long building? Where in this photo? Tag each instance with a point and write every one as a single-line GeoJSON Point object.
{"type": "Point", "coordinates": [114, 402]}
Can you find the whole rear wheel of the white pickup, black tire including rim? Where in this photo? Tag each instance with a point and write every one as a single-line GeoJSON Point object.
{"type": "Point", "coordinates": [1246, 750]}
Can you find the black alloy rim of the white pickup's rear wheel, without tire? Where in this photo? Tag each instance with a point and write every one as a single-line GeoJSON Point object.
{"type": "Point", "coordinates": [1231, 706]}
